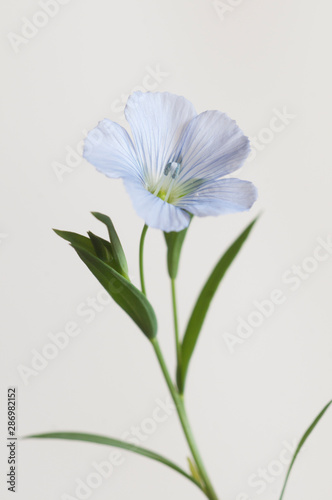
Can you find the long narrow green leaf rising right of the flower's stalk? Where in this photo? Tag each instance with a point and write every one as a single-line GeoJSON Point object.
{"type": "Point", "coordinates": [203, 302]}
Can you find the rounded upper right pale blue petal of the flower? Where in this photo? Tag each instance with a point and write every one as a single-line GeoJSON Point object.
{"type": "Point", "coordinates": [212, 146]}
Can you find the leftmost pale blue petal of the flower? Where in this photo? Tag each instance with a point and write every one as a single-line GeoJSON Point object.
{"type": "Point", "coordinates": [109, 148]}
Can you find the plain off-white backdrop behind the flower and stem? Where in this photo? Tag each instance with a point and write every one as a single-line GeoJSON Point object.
{"type": "Point", "coordinates": [252, 59]}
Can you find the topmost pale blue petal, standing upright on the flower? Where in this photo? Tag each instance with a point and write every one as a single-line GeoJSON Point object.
{"type": "Point", "coordinates": [157, 121]}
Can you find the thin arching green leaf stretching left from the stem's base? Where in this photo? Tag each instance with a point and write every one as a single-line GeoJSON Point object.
{"type": "Point", "coordinates": [93, 438]}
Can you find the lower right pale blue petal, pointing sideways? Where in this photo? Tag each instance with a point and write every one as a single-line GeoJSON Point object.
{"type": "Point", "coordinates": [223, 196]}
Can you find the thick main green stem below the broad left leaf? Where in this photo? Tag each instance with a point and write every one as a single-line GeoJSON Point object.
{"type": "Point", "coordinates": [180, 407]}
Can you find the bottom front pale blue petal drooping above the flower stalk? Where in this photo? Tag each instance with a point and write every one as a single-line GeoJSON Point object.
{"type": "Point", "coordinates": [156, 212]}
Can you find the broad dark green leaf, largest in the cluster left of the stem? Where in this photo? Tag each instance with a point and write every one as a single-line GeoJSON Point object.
{"type": "Point", "coordinates": [125, 294]}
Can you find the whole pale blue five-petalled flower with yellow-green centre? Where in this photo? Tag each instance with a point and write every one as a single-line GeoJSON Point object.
{"type": "Point", "coordinates": [176, 163]}
